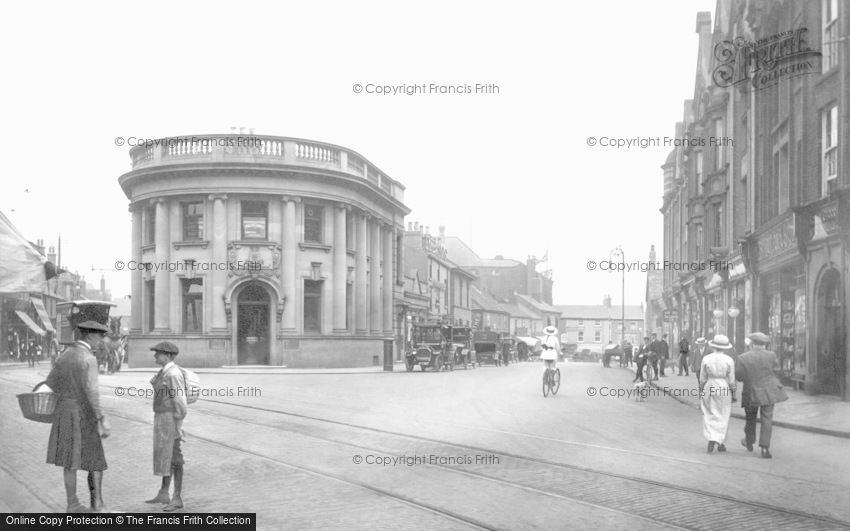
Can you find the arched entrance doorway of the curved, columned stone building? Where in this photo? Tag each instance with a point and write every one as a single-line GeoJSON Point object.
{"type": "Point", "coordinates": [253, 335]}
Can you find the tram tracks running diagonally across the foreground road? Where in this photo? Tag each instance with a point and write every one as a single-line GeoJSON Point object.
{"type": "Point", "coordinates": [589, 484]}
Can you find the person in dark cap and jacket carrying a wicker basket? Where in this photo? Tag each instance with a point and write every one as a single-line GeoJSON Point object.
{"type": "Point", "coordinates": [79, 423]}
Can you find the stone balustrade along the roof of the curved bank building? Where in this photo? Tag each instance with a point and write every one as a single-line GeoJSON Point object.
{"type": "Point", "coordinates": [260, 150]}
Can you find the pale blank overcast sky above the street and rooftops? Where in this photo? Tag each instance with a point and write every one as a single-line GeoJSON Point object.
{"type": "Point", "coordinates": [509, 173]}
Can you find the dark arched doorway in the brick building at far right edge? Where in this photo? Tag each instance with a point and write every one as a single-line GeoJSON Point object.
{"type": "Point", "coordinates": [831, 362]}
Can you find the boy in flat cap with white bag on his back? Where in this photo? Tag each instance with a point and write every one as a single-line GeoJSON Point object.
{"type": "Point", "coordinates": [169, 406]}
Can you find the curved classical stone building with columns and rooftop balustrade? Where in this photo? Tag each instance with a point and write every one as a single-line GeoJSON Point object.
{"type": "Point", "coordinates": [256, 250]}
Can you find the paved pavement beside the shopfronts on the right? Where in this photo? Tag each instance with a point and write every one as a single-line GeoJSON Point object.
{"type": "Point", "coordinates": [813, 413]}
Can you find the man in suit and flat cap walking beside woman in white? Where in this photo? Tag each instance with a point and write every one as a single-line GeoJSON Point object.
{"type": "Point", "coordinates": [761, 391]}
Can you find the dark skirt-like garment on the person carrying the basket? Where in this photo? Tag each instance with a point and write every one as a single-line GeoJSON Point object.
{"type": "Point", "coordinates": [74, 441]}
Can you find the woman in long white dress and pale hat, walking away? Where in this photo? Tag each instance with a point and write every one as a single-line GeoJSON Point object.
{"type": "Point", "coordinates": [717, 392]}
